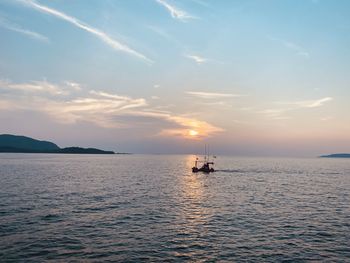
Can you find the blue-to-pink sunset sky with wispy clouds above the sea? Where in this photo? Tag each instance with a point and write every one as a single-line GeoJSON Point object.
{"type": "Point", "coordinates": [247, 77]}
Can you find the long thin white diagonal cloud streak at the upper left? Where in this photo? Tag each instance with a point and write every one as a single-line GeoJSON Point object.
{"type": "Point", "coordinates": [94, 31]}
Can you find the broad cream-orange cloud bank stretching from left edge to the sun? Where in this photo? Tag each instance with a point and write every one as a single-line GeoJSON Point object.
{"type": "Point", "coordinates": [102, 108]}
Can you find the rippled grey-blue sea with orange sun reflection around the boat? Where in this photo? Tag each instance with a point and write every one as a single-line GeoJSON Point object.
{"type": "Point", "coordinates": [152, 208]}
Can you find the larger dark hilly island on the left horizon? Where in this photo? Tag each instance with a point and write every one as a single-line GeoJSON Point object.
{"type": "Point", "coordinates": [22, 144]}
